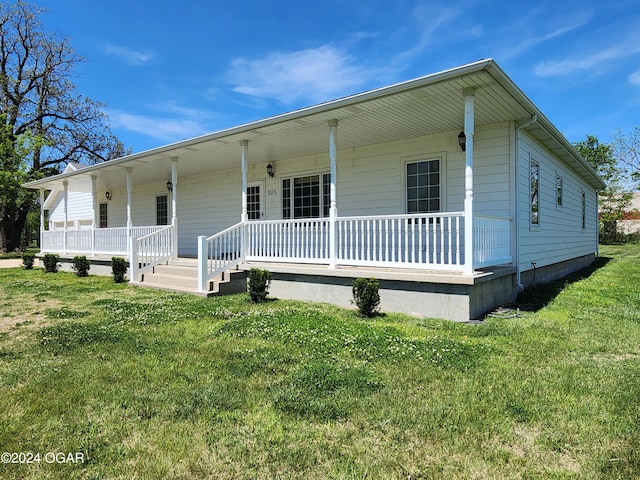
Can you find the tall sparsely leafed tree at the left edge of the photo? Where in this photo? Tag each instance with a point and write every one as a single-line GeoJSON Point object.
{"type": "Point", "coordinates": [45, 123]}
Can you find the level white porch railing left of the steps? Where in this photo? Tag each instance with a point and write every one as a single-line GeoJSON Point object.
{"type": "Point", "coordinates": [101, 241]}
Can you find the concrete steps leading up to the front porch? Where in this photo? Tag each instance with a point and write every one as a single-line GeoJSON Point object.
{"type": "Point", "coordinates": [181, 275]}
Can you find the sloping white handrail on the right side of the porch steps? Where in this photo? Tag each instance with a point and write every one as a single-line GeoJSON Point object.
{"type": "Point", "coordinates": [220, 252]}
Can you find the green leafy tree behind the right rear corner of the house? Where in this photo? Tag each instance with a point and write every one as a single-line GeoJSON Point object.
{"type": "Point", "coordinates": [614, 200]}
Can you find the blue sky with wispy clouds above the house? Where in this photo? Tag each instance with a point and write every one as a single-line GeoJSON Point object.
{"type": "Point", "coordinates": [170, 70]}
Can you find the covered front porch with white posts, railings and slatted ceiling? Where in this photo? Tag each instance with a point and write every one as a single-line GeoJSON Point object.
{"type": "Point", "coordinates": [226, 177]}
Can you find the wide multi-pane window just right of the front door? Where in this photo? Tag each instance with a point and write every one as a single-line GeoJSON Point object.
{"type": "Point", "coordinates": [302, 197]}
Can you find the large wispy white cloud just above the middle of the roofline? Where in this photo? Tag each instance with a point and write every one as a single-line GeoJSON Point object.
{"type": "Point", "coordinates": [315, 74]}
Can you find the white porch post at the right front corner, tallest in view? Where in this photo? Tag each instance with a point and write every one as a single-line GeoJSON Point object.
{"type": "Point", "coordinates": [469, 130]}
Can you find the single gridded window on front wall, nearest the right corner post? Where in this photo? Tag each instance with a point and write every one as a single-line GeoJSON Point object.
{"type": "Point", "coordinates": [423, 186]}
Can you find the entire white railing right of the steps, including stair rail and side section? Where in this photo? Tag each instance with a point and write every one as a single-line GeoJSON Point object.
{"type": "Point", "coordinates": [433, 241]}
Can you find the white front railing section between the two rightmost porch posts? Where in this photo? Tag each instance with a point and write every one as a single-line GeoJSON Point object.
{"type": "Point", "coordinates": [433, 241]}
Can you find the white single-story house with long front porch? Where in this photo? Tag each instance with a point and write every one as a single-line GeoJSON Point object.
{"type": "Point", "coordinates": [452, 189]}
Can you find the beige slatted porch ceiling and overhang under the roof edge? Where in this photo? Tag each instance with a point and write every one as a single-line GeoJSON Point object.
{"type": "Point", "coordinates": [428, 105]}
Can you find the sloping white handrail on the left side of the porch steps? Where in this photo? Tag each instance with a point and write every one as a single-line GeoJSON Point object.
{"type": "Point", "coordinates": [150, 250]}
